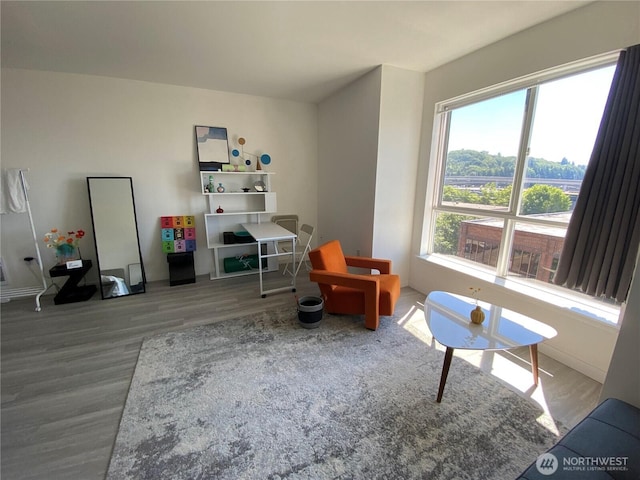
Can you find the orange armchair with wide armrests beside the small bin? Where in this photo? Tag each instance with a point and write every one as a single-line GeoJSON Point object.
{"type": "Point", "coordinates": [354, 294]}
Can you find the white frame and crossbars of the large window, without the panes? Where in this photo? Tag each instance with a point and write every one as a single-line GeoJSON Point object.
{"type": "Point", "coordinates": [511, 215]}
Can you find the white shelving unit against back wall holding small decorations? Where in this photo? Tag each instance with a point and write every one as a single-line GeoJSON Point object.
{"type": "Point", "coordinates": [241, 203]}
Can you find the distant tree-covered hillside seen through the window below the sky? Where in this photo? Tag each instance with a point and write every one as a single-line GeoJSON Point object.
{"type": "Point", "coordinates": [471, 162]}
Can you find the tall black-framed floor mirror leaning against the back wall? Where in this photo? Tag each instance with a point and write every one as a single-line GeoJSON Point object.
{"type": "Point", "coordinates": [115, 231]}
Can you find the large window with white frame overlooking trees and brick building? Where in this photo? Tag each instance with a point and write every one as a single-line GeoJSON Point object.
{"type": "Point", "coordinates": [511, 162]}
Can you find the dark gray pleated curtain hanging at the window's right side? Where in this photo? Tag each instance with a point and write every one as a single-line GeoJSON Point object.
{"type": "Point", "coordinates": [601, 244]}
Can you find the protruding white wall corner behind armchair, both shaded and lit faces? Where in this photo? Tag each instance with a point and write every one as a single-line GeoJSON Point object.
{"type": "Point", "coordinates": [369, 138]}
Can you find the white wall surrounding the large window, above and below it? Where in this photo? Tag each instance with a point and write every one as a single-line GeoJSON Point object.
{"type": "Point", "coordinates": [597, 28]}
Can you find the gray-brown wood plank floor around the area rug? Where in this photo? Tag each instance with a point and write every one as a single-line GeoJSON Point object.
{"type": "Point", "coordinates": [66, 370]}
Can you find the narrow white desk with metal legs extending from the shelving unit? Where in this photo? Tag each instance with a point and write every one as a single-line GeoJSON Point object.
{"type": "Point", "coordinates": [270, 232]}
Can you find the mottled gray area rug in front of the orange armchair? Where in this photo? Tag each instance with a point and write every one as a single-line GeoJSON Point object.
{"type": "Point", "coordinates": [260, 397]}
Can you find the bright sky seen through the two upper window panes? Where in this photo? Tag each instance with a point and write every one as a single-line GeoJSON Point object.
{"type": "Point", "coordinates": [566, 122]}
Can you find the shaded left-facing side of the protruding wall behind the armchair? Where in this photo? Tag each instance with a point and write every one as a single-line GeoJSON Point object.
{"type": "Point", "coordinates": [348, 123]}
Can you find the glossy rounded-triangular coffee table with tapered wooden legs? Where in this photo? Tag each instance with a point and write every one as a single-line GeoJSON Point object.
{"type": "Point", "coordinates": [448, 319]}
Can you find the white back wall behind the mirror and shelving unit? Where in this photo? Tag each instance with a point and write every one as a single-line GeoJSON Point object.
{"type": "Point", "coordinates": [66, 127]}
